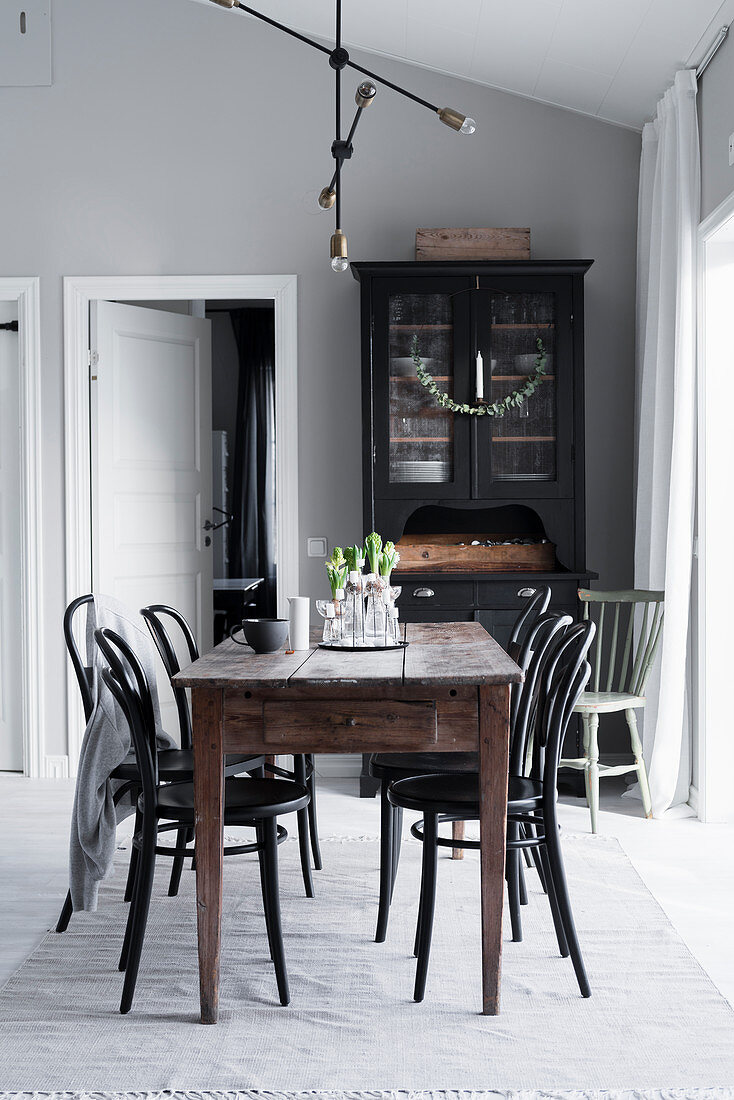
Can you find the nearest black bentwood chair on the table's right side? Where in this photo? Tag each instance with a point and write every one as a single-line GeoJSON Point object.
{"type": "Point", "coordinates": [531, 802]}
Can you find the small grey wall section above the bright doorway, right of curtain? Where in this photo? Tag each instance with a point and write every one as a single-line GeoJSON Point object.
{"type": "Point", "coordinates": [717, 123]}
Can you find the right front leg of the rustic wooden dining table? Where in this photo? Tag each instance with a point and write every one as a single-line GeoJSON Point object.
{"type": "Point", "coordinates": [494, 772]}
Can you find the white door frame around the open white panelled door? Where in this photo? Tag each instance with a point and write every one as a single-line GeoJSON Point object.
{"type": "Point", "coordinates": [79, 293]}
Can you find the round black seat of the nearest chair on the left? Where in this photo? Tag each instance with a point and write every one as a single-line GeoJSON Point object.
{"type": "Point", "coordinates": [245, 800]}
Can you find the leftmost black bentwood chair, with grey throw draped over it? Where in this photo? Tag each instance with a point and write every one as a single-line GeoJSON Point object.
{"type": "Point", "coordinates": [176, 766]}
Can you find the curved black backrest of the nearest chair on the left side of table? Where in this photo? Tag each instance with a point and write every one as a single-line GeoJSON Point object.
{"type": "Point", "coordinates": [134, 695]}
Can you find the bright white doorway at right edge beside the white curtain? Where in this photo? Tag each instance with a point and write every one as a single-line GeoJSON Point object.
{"type": "Point", "coordinates": [714, 749]}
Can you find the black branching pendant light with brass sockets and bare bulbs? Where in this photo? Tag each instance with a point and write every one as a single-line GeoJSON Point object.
{"type": "Point", "coordinates": [342, 150]}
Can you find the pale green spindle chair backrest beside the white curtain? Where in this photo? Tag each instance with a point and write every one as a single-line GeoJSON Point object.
{"type": "Point", "coordinates": [629, 673]}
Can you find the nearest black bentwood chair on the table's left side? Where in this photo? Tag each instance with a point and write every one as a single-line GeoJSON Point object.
{"type": "Point", "coordinates": [255, 804]}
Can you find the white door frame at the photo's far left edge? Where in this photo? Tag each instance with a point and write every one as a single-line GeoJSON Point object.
{"type": "Point", "coordinates": [26, 293]}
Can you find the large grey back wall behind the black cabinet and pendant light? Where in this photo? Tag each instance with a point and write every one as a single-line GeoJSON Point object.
{"type": "Point", "coordinates": [181, 139]}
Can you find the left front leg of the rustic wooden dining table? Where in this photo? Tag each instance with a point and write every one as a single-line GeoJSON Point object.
{"type": "Point", "coordinates": [210, 811]}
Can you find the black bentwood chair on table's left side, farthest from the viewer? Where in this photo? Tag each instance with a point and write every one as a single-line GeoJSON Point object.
{"type": "Point", "coordinates": [160, 620]}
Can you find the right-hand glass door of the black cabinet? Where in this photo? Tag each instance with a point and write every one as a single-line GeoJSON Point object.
{"type": "Point", "coordinates": [521, 453]}
